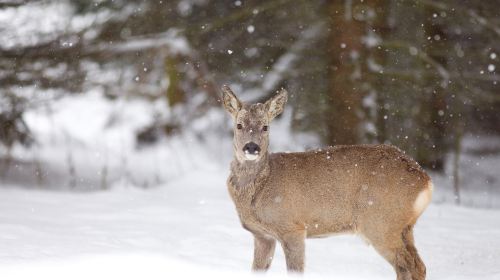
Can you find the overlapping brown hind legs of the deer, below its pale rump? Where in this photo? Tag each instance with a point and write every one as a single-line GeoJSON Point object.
{"type": "Point", "coordinates": [399, 250]}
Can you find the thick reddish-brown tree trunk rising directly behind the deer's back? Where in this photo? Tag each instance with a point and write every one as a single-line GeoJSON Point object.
{"type": "Point", "coordinates": [349, 47]}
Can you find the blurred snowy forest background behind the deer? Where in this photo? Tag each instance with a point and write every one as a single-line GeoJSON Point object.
{"type": "Point", "coordinates": [92, 87]}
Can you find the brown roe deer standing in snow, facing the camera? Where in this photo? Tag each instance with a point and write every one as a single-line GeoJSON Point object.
{"type": "Point", "coordinates": [374, 191]}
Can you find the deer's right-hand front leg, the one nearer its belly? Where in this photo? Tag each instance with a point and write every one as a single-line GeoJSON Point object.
{"type": "Point", "coordinates": [294, 247]}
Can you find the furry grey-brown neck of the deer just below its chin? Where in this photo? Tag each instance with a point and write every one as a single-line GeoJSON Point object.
{"type": "Point", "coordinates": [248, 174]}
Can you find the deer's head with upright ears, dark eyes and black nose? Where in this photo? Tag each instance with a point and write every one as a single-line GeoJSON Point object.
{"type": "Point", "coordinates": [251, 123]}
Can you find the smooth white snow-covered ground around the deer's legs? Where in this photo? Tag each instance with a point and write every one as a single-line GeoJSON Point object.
{"type": "Point", "coordinates": [189, 228]}
